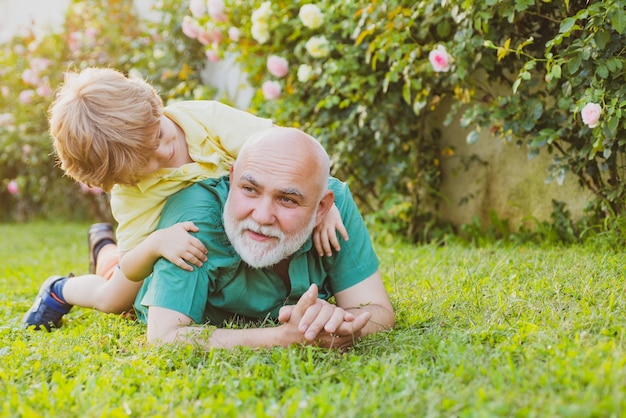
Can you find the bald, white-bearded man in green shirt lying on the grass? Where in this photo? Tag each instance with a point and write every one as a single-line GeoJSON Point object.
{"type": "Point", "coordinates": [257, 226]}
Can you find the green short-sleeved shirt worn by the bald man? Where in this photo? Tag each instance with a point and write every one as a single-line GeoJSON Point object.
{"type": "Point", "coordinates": [225, 286]}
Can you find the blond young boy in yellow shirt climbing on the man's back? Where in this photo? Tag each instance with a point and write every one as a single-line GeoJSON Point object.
{"type": "Point", "coordinates": [113, 132]}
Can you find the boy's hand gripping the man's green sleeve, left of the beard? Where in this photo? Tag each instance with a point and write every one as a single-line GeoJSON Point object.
{"type": "Point", "coordinates": [180, 247]}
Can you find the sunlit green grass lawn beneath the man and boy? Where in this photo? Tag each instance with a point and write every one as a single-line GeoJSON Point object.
{"type": "Point", "coordinates": [493, 331]}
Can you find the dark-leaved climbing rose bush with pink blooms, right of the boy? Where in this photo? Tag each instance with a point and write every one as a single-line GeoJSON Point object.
{"type": "Point", "coordinates": [366, 76]}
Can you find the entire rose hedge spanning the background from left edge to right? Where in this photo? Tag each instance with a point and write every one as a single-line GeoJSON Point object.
{"type": "Point", "coordinates": [368, 78]}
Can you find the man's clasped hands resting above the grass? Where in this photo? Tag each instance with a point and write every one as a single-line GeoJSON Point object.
{"type": "Point", "coordinates": [318, 322]}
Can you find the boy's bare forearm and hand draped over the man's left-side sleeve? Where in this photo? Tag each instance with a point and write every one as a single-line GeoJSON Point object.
{"type": "Point", "coordinates": [175, 243]}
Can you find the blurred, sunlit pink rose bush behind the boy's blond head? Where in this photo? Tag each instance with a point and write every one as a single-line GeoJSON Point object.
{"type": "Point", "coordinates": [96, 33]}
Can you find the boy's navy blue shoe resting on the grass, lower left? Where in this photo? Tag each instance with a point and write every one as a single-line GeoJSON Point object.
{"type": "Point", "coordinates": [48, 309]}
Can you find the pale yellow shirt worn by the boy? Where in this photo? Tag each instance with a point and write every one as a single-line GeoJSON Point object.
{"type": "Point", "coordinates": [215, 133]}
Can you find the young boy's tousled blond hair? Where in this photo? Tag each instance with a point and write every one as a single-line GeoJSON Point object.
{"type": "Point", "coordinates": [105, 126]}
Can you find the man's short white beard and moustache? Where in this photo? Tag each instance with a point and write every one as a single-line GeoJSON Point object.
{"type": "Point", "coordinates": [262, 254]}
